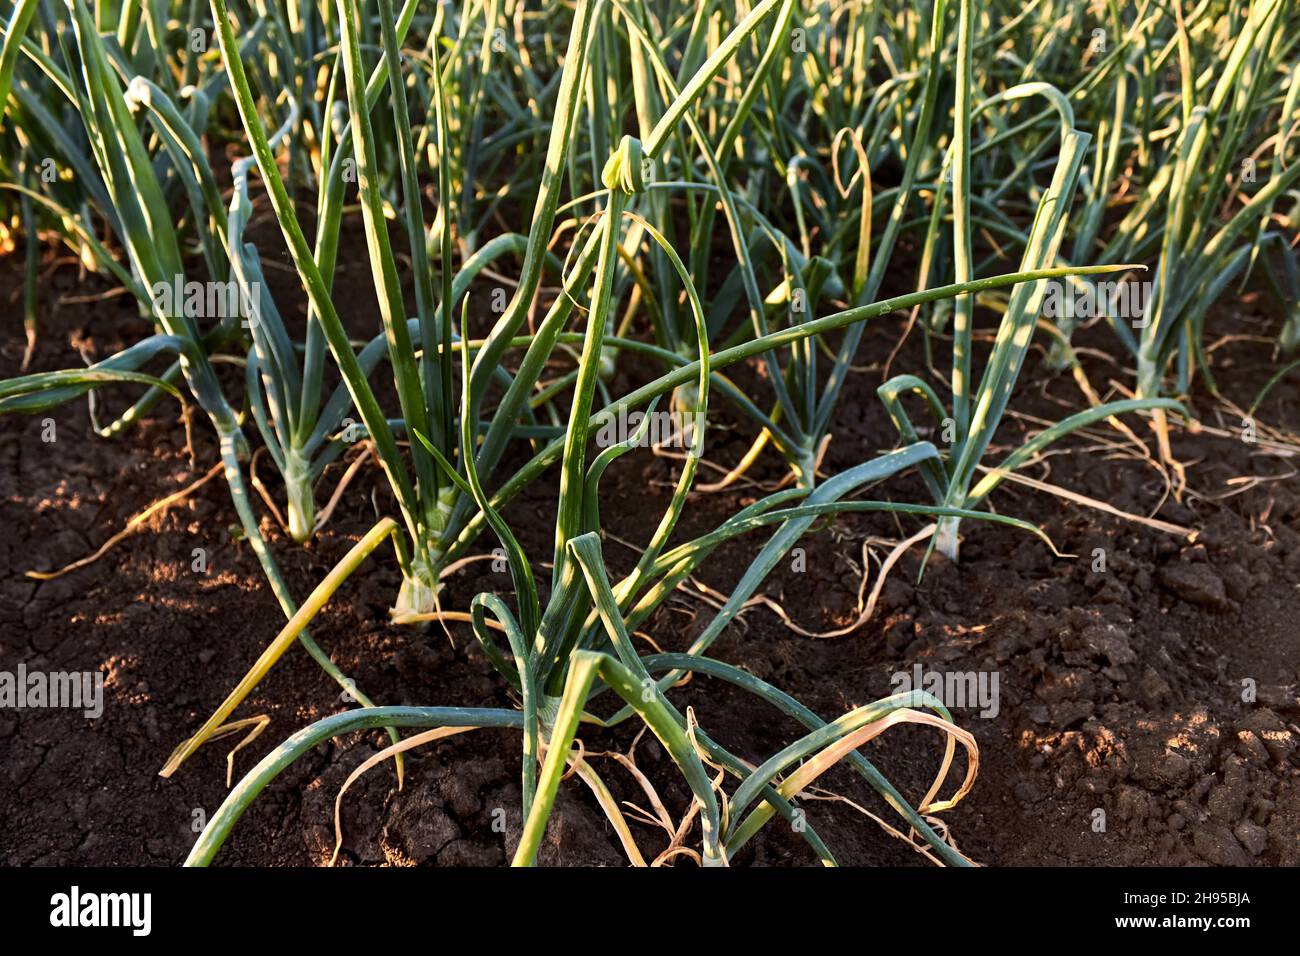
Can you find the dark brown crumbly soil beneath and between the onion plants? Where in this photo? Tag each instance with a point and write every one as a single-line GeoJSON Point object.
{"type": "Point", "coordinates": [1120, 691]}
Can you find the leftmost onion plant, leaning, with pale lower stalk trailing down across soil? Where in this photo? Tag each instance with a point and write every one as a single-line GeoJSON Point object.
{"type": "Point", "coordinates": [93, 81]}
